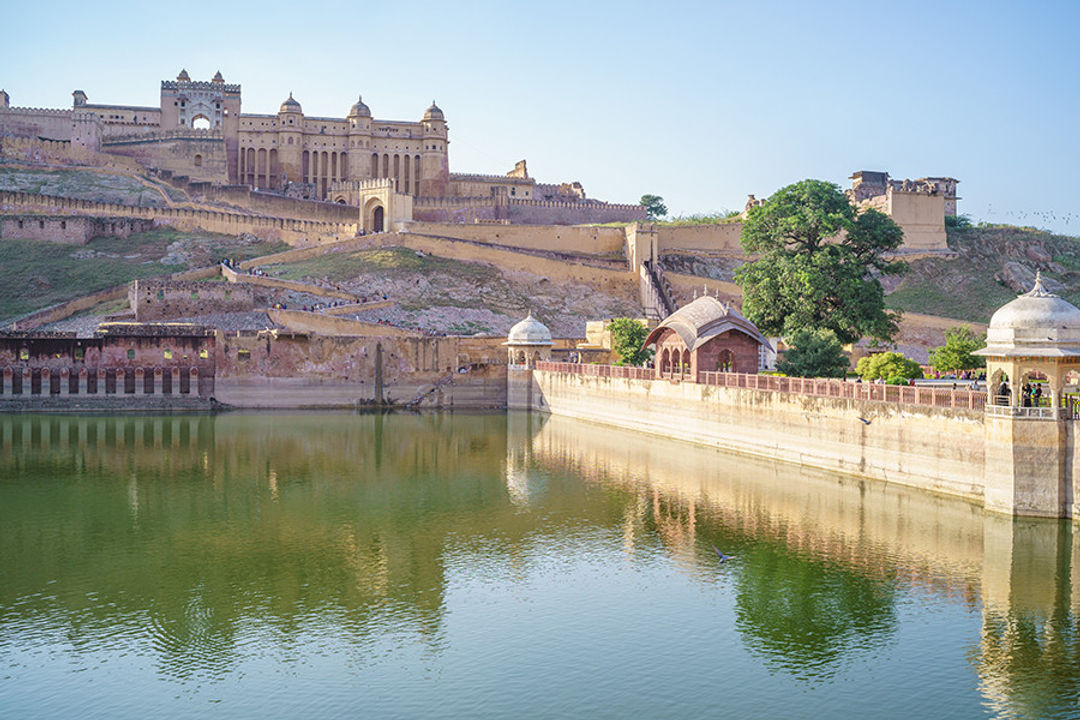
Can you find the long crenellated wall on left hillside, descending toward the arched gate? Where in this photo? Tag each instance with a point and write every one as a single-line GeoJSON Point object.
{"type": "Point", "coordinates": [269, 228]}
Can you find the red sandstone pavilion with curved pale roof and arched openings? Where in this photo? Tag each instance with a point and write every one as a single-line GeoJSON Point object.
{"type": "Point", "coordinates": [707, 336]}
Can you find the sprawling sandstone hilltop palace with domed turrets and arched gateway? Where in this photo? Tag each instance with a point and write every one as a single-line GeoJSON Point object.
{"type": "Point", "coordinates": [395, 170]}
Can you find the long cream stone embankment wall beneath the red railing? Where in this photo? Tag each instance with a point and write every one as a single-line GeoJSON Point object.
{"type": "Point", "coordinates": [937, 450]}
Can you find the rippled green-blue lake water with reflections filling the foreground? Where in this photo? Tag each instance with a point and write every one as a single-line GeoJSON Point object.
{"type": "Point", "coordinates": [511, 566]}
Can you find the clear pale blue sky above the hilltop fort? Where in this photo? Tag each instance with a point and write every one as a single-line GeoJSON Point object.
{"type": "Point", "coordinates": [700, 103]}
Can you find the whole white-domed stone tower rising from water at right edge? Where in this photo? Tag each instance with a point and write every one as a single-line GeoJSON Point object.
{"type": "Point", "coordinates": [1033, 370]}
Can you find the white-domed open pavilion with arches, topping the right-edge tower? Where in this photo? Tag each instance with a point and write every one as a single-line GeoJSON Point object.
{"type": "Point", "coordinates": [1033, 338]}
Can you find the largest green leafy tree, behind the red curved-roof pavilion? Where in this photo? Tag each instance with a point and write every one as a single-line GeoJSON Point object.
{"type": "Point", "coordinates": [819, 263]}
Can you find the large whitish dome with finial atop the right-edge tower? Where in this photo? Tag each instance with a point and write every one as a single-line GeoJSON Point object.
{"type": "Point", "coordinates": [1037, 324]}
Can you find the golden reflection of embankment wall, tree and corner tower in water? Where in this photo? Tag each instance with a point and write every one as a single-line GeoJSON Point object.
{"type": "Point", "coordinates": [789, 523]}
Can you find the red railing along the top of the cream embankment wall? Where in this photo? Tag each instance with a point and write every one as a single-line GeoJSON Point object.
{"type": "Point", "coordinates": [943, 398]}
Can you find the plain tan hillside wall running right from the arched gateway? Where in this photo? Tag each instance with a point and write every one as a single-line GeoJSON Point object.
{"type": "Point", "coordinates": [556, 239]}
